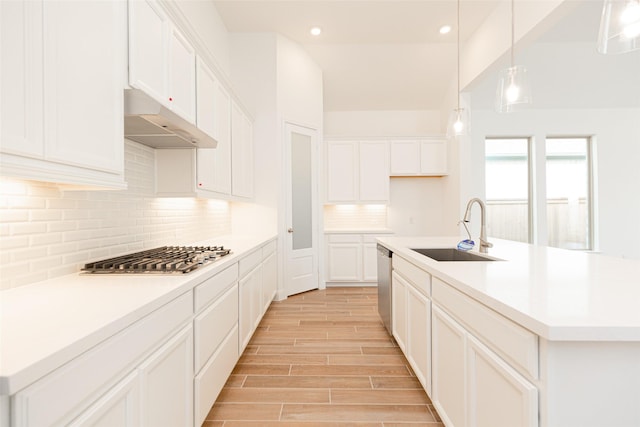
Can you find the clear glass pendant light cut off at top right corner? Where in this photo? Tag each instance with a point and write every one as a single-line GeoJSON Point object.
{"type": "Point", "coordinates": [619, 26]}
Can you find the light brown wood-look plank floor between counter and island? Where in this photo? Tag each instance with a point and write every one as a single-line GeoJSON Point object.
{"type": "Point", "coordinates": [323, 358]}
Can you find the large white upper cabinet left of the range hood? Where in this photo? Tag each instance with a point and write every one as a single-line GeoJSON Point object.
{"type": "Point", "coordinates": [62, 101]}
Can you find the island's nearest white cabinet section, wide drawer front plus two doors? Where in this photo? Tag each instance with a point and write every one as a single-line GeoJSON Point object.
{"type": "Point", "coordinates": [473, 384]}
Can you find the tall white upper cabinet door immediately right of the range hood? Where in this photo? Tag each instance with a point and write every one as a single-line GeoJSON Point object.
{"type": "Point", "coordinates": [214, 117]}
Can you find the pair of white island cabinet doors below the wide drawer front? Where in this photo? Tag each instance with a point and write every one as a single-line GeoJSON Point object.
{"type": "Point", "coordinates": [472, 386]}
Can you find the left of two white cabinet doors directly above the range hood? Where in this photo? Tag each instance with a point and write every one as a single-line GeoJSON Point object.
{"type": "Point", "coordinates": [148, 48]}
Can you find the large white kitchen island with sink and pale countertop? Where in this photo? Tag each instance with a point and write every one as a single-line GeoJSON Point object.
{"type": "Point", "coordinates": [538, 336]}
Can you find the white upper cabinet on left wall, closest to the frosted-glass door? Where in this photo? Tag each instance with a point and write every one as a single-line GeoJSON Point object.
{"type": "Point", "coordinates": [241, 153]}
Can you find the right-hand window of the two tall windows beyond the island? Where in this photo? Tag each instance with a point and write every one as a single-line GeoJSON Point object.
{"type": "Point", "coordinates": [569, 213]}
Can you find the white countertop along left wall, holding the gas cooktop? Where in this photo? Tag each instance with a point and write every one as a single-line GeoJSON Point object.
{"type": "Point", "coordinates": [46, 324]}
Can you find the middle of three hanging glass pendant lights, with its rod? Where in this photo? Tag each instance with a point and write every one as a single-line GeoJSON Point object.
{"type": "Point", "coordinates": [513, 87]}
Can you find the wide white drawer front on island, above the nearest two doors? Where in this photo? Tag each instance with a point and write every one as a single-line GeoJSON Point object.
{"type": "Point", "coordinates": [517, 345]}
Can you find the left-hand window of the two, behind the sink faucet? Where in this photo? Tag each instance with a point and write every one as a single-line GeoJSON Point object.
{"type": "Point", "coordinates": [507, 188]}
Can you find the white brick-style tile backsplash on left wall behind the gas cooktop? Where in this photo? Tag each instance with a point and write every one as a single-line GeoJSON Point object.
{"type": "Point", "coordinates": [47, 231]}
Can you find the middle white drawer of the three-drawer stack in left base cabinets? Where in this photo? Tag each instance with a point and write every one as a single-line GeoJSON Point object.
{"type": "Point", "coordinates": [213, 324]}
